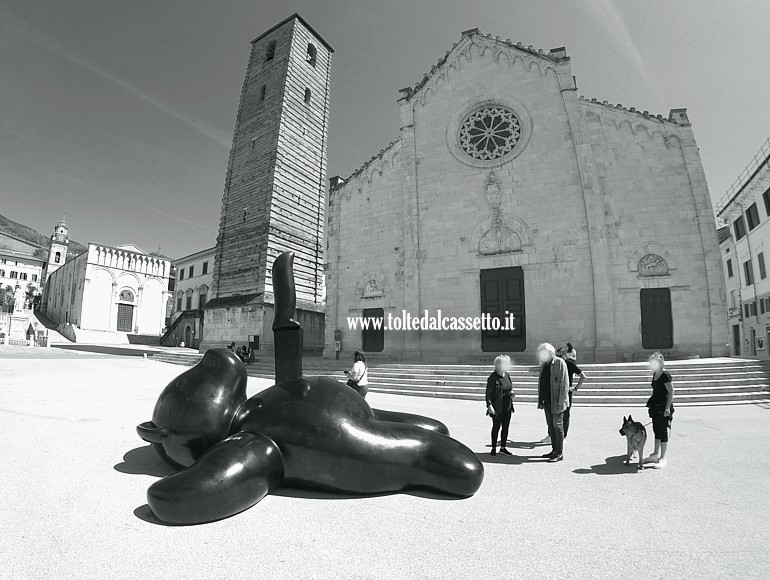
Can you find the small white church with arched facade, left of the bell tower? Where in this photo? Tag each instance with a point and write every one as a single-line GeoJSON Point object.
{"type": "Point", "coordinates": [120, 290]}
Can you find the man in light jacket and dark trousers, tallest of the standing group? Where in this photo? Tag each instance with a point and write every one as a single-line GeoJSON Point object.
{"type": "Point", "coordinates": [553, 398]}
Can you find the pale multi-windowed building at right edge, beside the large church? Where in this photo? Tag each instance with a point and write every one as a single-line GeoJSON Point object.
{"type": "Point", "coordinates": [744, 212]}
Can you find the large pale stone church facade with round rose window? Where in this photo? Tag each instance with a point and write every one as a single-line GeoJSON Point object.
{"type": "Point", "coordinates": [509, 195]}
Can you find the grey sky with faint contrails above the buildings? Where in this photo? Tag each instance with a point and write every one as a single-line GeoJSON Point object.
{"type": "Point", "coordinates": [120, 114]}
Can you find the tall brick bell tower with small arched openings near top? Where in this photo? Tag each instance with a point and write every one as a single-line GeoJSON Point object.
{"type": "Point", "coordinates": [274, 196]}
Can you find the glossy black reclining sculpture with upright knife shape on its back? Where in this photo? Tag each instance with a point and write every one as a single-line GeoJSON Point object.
{"type": "Point", "coordinates": [312, 432]}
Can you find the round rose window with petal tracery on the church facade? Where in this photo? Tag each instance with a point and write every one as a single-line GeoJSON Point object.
{"type": "Point", "coordinates": [490, 133]}
